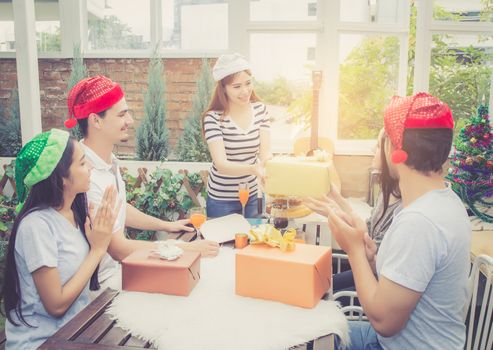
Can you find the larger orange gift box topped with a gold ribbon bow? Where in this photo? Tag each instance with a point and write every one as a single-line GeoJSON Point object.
{"type": "Point", "coordinates": [299, 277]}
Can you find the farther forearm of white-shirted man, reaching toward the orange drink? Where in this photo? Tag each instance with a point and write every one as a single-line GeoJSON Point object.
{"type": "Point", "coordinates": [136, 219]}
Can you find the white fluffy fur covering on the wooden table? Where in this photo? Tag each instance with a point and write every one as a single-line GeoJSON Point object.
{"type": "Point", "coordinates": [214, 317]}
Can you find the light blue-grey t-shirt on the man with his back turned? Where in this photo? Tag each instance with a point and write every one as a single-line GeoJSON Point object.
{"type": "Point", "coordinates": [426, 249]}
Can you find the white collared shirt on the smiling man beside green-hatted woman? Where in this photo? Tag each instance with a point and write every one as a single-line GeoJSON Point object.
{"type": "Point", "coordinates": [102, 176]}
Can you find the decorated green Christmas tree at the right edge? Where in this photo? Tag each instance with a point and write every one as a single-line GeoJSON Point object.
{"type": "Point", "coordinates": [471, 171]}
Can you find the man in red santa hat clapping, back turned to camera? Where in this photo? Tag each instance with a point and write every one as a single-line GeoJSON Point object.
{"type": "Point", "coordinates": [417, 302]}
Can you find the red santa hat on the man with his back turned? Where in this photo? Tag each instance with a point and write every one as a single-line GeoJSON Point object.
{"type": "Point", "coordinates": [414, 112]}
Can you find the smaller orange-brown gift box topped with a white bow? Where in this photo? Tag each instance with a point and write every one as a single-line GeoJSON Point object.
{"type": "Point", "coordinates": [143, 271]}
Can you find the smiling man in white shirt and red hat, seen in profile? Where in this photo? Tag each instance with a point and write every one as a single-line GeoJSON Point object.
{"type": "Point", "coordinates": [98, 105]}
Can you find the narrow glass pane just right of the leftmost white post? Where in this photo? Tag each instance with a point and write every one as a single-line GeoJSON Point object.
{"type": "Point", "coordinates": [47, 16]}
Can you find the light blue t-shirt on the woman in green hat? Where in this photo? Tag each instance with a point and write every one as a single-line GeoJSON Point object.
{"type": "Point", "coordinates": [44, 238]}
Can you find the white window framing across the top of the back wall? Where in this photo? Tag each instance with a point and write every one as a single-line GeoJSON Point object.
{"type": "Point", "coordinates": [327, 27]}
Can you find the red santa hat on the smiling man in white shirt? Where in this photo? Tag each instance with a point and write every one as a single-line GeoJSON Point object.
{"type": "Point", "coordinates": [91, 95]}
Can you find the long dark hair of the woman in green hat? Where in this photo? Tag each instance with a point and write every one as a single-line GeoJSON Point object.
{"type": "Point", "coordinates": [45, 194]}
